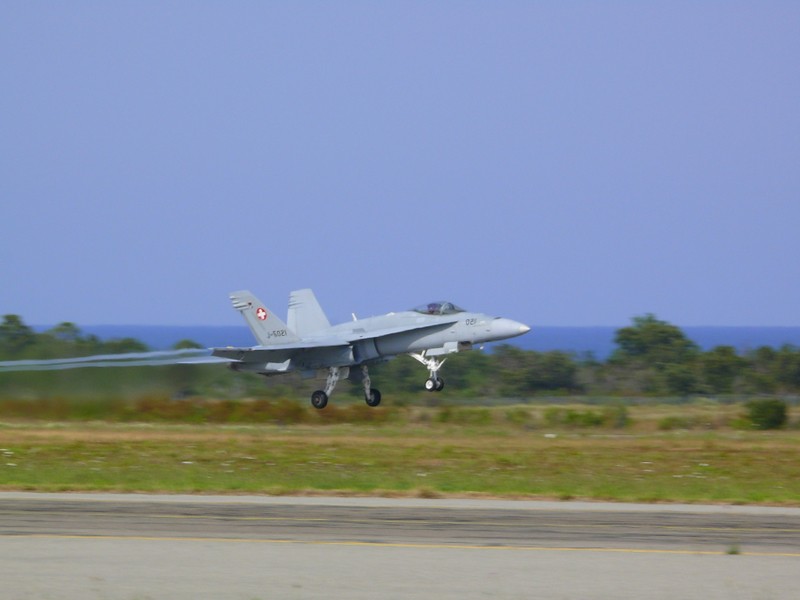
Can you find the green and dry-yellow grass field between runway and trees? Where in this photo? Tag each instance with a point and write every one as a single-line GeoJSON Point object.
{"type": "Point", "coordinates": [502, 455]}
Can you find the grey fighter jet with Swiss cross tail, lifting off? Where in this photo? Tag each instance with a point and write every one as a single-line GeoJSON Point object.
{"type": "Point", "coordinates": [308, 342]}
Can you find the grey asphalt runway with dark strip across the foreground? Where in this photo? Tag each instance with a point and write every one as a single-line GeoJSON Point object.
{"type": "Point", "coordinates": [136, 547]}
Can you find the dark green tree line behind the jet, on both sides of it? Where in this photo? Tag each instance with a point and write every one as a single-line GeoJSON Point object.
{"type": "Point", "coordinates": [651, 358]}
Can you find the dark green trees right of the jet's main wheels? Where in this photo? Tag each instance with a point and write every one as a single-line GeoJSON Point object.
{"type": "Point", "coordinates": [651, 358]}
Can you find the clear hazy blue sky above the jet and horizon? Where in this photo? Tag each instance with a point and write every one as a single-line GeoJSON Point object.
{"type": "Point", "coordinates": [560, 163]}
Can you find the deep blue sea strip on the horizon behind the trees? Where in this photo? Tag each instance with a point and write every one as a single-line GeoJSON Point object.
{"type": "Point", "coordinates": [599, 341]}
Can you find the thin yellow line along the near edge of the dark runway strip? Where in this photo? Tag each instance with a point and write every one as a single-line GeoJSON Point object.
{"type": "Point", "coordinates": [395, 545]}
